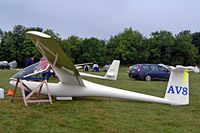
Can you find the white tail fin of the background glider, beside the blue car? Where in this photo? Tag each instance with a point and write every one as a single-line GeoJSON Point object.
{"type": "Point", "coordinates": [112, 72]}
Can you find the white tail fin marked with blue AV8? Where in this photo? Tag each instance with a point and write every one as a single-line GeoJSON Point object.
{"type": "Point", "coordinates": [177, 92]}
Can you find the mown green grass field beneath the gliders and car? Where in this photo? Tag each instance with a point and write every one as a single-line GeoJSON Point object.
{"type": "Point", "coordinates": [93, 114]}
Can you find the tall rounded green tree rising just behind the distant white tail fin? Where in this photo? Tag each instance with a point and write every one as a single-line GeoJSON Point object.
{"type": "Point", "coordinates": [127, 46]}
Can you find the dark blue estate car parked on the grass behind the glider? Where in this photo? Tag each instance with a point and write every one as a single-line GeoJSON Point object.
{"type": "Point", "coordinates": [149, 72]}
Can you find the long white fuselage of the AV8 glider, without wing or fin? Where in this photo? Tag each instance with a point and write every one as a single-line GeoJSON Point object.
{"type": "Point", "coordinates": [93, 89]}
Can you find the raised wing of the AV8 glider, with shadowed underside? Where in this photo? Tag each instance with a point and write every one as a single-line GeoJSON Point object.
{"type": "Point", "coordinates": [59, 61]}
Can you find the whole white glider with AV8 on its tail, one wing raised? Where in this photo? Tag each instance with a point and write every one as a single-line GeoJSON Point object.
{"type": "Point", "coordinates": [71, 84]}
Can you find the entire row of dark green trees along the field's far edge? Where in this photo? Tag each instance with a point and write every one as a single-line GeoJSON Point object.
{"type": "Point", "coordinates": [129, 46]}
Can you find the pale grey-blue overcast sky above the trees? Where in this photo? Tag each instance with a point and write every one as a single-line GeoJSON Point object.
{"type": "Point", "coordinates": [101, 18]}
